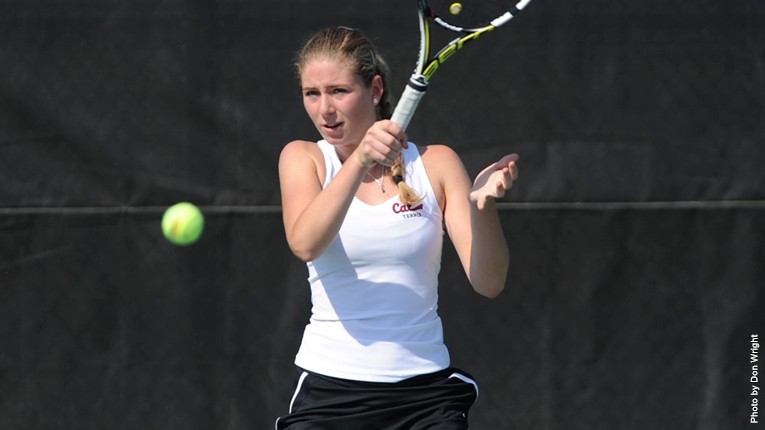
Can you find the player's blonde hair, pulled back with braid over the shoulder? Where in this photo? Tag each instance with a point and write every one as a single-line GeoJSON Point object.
{"type": "Point", "coordinates": [356, 50]}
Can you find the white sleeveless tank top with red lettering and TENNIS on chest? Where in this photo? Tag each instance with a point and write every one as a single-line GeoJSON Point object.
{"type": "Point", "coordinates": [374, 291]}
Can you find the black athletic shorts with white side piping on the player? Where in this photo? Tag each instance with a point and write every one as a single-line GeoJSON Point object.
{"type": "Point", "coordinates": [438, 400]}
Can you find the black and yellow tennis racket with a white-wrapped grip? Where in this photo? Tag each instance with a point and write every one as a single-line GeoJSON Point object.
{"type": "Point", "coordinates": [469, 19]}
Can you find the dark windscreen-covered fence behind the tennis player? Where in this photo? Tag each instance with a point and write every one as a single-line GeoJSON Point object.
{"type": "Point", "coordinates": [636, 230]}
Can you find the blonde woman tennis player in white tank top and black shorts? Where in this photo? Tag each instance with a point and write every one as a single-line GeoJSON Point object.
{"type": "Point", "coordinates": [366, 210]}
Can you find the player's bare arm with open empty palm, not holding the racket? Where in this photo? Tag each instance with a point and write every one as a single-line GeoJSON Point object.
{"type": "Point", "coordinates": [471, 217]}
